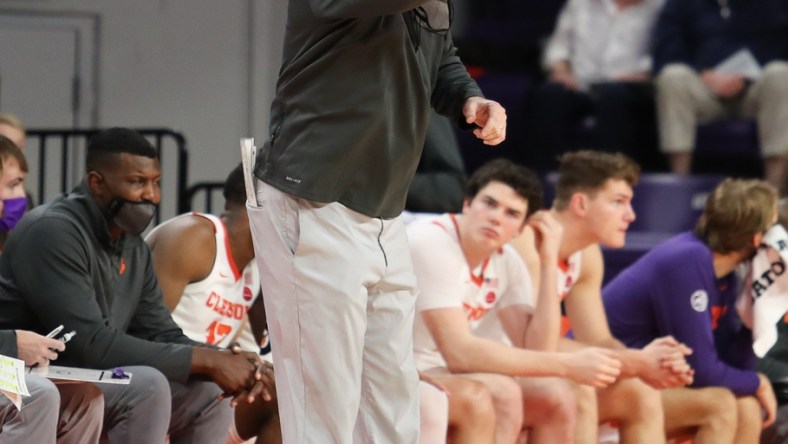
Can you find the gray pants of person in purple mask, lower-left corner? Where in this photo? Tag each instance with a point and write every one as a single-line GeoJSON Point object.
{"type": "Point", "coordinates": [67, 413]}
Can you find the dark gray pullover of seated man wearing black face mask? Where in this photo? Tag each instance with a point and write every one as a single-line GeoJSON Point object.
{"type": "Point", "coordinates": [60, 266]}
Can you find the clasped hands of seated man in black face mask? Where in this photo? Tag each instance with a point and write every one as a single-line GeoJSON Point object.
{"type": "Point", "coordinates": [242, 375]}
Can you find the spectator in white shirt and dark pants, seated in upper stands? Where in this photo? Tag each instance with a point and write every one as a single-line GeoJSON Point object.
{"type": "Point", "coordinates": [598, 66]}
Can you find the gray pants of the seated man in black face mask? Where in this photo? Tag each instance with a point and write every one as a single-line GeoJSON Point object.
{"type": "Point", "coordinates": [151, 407]}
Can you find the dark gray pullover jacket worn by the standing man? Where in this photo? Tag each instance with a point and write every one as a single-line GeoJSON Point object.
{"type": "Point", "coordinates": [353, 100]}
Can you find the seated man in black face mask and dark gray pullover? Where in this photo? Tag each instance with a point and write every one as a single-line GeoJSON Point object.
{"type": "Point", "coordinates": [80, 262]}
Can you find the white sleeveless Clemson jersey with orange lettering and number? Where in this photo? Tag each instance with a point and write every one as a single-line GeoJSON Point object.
{"type": "Point", "coordinates": [213, 309]}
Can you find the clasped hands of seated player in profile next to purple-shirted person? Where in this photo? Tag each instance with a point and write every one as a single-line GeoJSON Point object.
{"type": "Point", "coordinates": [665, 364]}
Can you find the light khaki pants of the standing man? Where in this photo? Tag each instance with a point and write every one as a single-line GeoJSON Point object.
{"type": "Point", "coordinates": [339, 294]}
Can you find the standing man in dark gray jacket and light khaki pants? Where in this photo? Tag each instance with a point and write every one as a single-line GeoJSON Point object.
{"type": "Point", "coordinates": [348, 123]}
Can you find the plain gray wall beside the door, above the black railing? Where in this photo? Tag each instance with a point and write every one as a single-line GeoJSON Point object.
{"type": "Point", "coordinates": [203, 67]}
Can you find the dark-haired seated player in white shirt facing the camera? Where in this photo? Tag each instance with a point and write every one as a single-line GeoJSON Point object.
{"type": "Point", "coordinates": [477, 318]}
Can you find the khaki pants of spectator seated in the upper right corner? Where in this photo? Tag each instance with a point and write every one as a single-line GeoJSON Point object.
{"type": "Point", "coordinates": [684, 101]}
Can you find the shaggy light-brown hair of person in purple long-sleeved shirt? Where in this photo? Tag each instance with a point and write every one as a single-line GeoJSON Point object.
{"type": "Point", "coordinates": [735, 211]}
